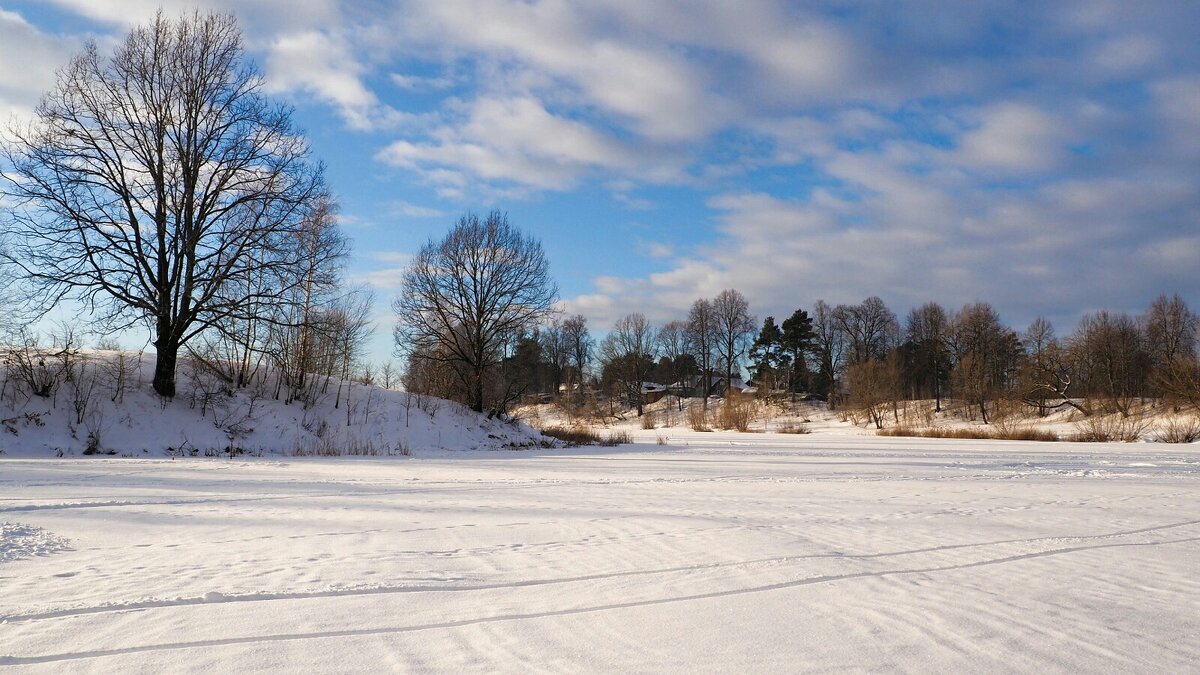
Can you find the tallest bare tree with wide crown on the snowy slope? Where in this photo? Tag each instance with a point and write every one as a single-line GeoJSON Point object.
{"type": "Point", "coordinates": [159, 186]}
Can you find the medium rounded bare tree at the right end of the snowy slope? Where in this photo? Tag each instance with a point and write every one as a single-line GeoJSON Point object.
{"type": "Point", "coordinates": [465, 300]}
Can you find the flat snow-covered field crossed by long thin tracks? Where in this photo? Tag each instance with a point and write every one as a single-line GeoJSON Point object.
{"type": "Point", "coordinates": [717, 553]}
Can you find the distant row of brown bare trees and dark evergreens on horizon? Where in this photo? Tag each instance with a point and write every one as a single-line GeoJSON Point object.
{"type": "Point", "coordinates": [857, 355]}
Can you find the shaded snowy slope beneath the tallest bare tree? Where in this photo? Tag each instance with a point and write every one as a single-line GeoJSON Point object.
{"type": "Point", "coordinates": [101, 403]}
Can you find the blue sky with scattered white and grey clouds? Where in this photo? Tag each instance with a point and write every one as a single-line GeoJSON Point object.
{"type": "Point", "coordinates": [1041, 157]}
